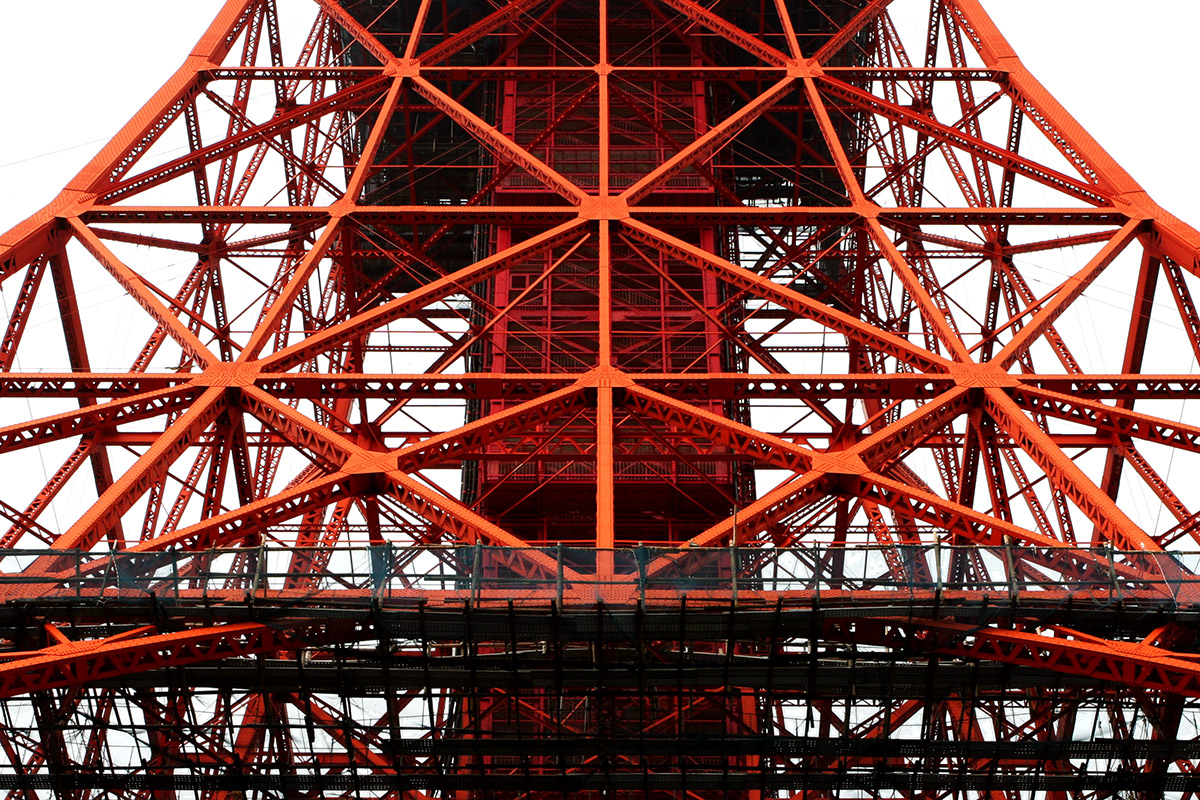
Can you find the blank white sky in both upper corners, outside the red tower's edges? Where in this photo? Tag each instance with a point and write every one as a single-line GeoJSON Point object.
{"type": "Point", "coordinates": [74, 71]}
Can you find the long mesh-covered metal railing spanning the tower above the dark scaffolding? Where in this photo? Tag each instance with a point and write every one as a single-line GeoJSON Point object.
{"type": "Point", "coordinates": [488, 575]}
